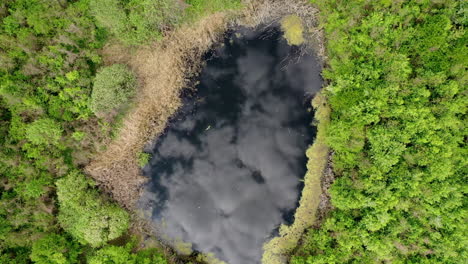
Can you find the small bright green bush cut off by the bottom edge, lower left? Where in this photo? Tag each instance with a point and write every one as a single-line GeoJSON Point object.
{"type": "Point", "coordinates": [55, 249]}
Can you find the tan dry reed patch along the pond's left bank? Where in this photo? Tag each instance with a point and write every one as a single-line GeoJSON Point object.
{"type": "Point", "coordinates": [163, 70]}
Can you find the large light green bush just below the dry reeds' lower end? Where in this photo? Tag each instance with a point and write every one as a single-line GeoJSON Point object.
{"type": "Point", "coordinates": [85, 214]}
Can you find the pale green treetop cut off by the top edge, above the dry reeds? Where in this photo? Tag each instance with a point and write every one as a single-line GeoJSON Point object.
{"type": "Point", "coordinates": [136, 21]}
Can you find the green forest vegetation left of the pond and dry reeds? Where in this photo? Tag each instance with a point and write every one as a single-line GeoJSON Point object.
{"type": "Point", "coordinates": [49, 98]}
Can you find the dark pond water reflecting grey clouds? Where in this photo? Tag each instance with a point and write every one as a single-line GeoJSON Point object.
{"type": "Point", "coordinates": [226, 173]}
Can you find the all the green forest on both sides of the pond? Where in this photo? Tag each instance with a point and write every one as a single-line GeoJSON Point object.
{"type": "Point", "coordinates": [396, 74]}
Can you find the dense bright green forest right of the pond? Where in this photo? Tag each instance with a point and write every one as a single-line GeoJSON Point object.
{"type": "Point", "coordinates": [397, 73]}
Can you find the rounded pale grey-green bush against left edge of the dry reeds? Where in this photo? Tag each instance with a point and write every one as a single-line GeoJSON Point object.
{"type": "Point", "coordinates": [113, 86]}
